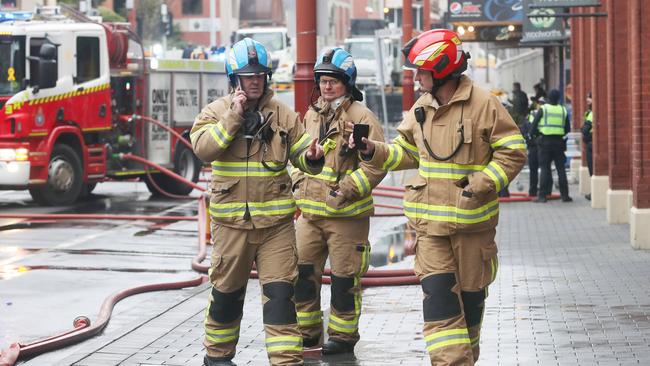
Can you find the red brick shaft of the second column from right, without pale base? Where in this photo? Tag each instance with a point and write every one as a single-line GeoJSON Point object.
{"type": "Point", "coordinates": [619, 117]}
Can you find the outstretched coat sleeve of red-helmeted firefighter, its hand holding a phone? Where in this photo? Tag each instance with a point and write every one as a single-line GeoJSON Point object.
{"type": "Point", "coordinates": [401, 154]}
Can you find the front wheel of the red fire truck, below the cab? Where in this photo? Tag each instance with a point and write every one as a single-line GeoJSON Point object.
{"type": "Point", "coordinates": [64, 178]}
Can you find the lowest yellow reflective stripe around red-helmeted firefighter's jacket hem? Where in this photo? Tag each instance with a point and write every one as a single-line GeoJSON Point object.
{"type": "Point", "coordinates": [451, 213]}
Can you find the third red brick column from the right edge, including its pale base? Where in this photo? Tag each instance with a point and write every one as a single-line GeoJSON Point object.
{"type": "Point", "coordinates": [600, 179]}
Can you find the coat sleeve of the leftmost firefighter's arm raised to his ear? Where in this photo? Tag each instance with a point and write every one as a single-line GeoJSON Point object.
{"type": "Point", "coordinates": [213, 131]}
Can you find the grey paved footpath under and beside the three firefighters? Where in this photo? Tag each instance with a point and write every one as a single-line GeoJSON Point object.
{"type": "Point", "coordinates": [570, 291]}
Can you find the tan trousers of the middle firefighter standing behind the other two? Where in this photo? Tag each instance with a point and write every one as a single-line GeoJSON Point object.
{"type": "Point", "coordinates": [345, 240]}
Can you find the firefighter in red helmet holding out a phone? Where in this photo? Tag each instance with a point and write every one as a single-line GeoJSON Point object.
{"type": "Point", "coordinates": [466, 147]}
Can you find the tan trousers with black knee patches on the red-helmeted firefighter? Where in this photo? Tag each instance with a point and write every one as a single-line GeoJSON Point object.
{"type": "Point", "coordinates": [455, 272]}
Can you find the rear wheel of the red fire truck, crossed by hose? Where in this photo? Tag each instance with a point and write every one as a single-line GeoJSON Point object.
{"type": "Point", "coordinates": [187, 165]}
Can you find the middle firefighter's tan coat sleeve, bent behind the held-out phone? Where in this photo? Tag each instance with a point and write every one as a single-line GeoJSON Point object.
{"type": "Point", "coordinates": [360, 183]}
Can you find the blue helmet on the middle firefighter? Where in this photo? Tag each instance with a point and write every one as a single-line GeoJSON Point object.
{"type": "Point", "coordinates": [338, 63]}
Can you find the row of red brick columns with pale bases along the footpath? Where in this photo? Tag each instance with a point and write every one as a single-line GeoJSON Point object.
{"type": "Point", "coordinates": [609, 59]}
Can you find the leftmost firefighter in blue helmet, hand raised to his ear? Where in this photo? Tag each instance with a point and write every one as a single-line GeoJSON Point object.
{"type": "Point", "coordinates": [248, 136]}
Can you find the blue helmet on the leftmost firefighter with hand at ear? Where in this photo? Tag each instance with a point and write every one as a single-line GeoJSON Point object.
{"type": "Point", "coordinates": [247, 57]}
